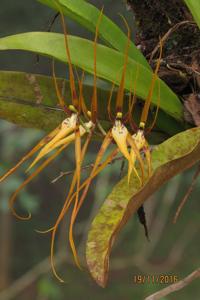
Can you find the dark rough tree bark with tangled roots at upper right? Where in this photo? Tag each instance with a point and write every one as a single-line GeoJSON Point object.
{"type": "Point", "coordinates": [180, 67]}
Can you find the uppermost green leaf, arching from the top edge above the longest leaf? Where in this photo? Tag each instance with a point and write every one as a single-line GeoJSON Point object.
{"type": "Point", "coordinates": [87, 15]}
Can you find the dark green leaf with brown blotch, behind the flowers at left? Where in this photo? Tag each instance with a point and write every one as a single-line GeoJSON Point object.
{"type": "Point", "coordinates": [30, 100]}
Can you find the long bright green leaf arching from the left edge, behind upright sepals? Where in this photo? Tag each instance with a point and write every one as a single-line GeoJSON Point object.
{"type": "Point", "coordinates": [109, 64]}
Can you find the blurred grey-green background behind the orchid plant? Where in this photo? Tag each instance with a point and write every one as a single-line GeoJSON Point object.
{"type": "Point", "coordinates": [24, 265]}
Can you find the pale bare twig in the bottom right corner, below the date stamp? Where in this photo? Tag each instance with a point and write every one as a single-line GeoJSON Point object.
{"type": "Point", "coordinates": [175, 287]}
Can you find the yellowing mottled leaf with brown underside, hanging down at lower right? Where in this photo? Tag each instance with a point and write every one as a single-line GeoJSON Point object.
{"type": "Point", "coordinates": [168, 159]}
